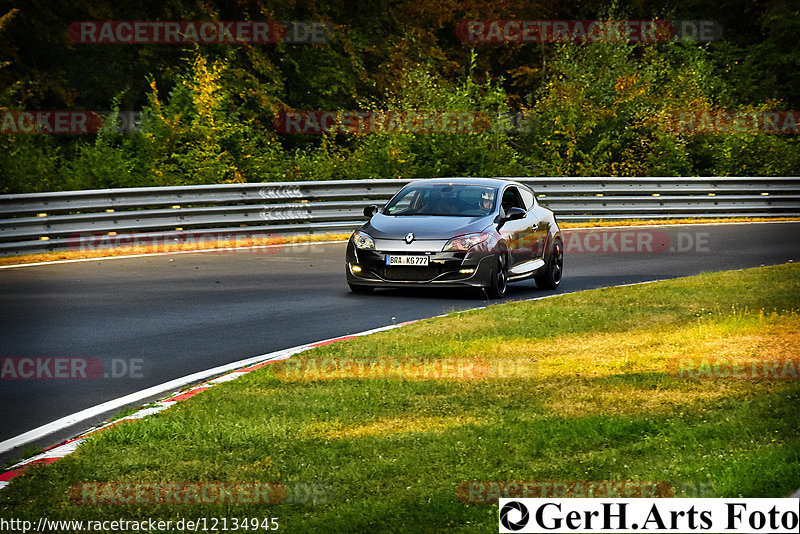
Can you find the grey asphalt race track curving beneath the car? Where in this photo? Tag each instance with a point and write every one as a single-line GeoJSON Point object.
{"type": "Point", "coordinates": [153, 319]}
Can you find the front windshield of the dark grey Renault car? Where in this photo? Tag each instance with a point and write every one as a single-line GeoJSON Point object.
{"type": "Point", "coordinates": [453, 200]}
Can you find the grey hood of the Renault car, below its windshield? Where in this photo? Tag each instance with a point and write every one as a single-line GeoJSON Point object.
{"type": "Point", "coordinates": [423, 226]}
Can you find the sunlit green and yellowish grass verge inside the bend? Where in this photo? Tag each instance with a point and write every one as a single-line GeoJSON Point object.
{"type": "Point", "coordinates": [578, 390]}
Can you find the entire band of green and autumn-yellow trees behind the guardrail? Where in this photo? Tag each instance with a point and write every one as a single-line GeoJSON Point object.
{"type": "Point", "coordinates": [207, 110]}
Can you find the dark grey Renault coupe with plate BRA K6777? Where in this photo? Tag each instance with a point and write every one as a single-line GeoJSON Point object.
{"type": "Point", "coordinates": [457, 232]}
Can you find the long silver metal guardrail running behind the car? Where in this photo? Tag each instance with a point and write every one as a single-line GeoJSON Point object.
{"type": "Point", "coordinates": [41, 222]}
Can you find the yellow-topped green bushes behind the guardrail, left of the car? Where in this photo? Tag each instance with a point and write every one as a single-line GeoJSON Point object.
{"type": "Point", "coordinates": [194, 136]}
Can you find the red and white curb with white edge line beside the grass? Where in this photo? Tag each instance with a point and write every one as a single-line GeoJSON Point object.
{"type": "Point", "coordinates": [233, 371]}
